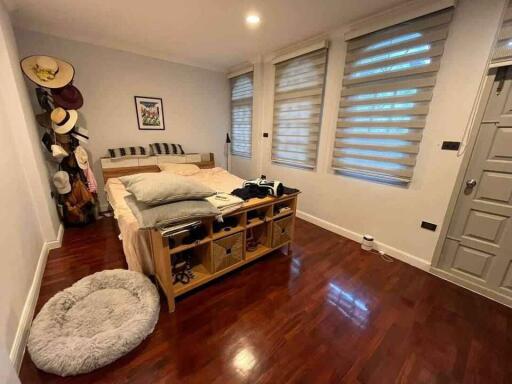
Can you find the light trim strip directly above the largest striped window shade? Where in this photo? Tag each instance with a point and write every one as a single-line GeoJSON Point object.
{"type": "Point", "coordinates": [396, 15]}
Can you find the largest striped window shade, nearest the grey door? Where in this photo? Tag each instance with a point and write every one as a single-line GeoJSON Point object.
{"type": "Point", "coordinates": [387, 86]}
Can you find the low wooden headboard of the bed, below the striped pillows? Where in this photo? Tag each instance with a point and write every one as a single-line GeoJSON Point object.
{"type": "Point", "coordinates": [129, 166]}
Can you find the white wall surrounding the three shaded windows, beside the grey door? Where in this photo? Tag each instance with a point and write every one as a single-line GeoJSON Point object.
{"type": "Point", "coordinates": [392, 214]}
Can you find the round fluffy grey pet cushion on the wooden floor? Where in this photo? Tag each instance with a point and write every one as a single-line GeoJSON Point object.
{"type": "Point", "coordinates": [94, 322]}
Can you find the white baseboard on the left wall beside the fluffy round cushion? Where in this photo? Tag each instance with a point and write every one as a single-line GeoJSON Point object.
{"type": "Point", "coordinates": [20, 339]}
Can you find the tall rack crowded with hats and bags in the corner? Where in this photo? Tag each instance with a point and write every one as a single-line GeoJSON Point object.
{"type": "Point", "coordinates": [74, 185]}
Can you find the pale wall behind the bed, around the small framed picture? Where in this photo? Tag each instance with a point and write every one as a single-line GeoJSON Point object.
{"type": "Point", "coordinates": [195, 101]}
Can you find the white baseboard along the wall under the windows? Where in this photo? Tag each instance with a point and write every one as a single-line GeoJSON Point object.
{"type": "Point", "coordinates": [389, 250]}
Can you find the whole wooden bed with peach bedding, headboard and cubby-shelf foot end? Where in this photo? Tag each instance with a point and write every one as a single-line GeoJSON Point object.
{"type": "Point", "coordinates": [258, 227]}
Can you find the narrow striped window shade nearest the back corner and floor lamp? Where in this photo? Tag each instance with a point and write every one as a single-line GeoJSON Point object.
{"type": "Point", "coordinates": [241, 114]}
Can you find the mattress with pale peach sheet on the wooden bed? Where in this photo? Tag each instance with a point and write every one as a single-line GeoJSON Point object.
{"type": "Point", "coordinates": [136, 241]}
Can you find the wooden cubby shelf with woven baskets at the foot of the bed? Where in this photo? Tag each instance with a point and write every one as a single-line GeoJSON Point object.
{"type": "Point", "coordinates": [266, 223]}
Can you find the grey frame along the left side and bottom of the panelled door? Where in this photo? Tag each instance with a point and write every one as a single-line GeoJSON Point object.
{"type": "Point", "coordinates": [483, 99]}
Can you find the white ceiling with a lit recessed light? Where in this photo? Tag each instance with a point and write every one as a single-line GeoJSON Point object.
{"type": "Point", "coordinates": [206, 33]}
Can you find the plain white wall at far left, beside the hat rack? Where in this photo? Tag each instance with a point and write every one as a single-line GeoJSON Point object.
{"type": "Point", "coordinates": [29, 217]}
